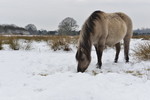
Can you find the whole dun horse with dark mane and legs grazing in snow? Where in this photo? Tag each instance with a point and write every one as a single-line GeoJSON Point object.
{"type": "Point", "coordinates": [103, 29]}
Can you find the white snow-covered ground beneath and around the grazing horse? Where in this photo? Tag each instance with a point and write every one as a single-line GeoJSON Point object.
{"type": "Point", "coordinates": [42, 74]}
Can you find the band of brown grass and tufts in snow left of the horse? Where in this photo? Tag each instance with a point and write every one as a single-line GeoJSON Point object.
{"type": "Point", "coordinates": [55, 42]}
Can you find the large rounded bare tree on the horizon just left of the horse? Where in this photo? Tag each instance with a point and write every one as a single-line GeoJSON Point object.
{"type": "Point", "coordinates": [68, 26]}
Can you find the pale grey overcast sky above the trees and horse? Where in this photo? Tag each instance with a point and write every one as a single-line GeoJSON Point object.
{"type": "Point", "coordinates": [47, 14]}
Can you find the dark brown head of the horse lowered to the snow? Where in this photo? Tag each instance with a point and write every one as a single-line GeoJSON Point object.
{"type": "Point", "coordinates": [83, 60]}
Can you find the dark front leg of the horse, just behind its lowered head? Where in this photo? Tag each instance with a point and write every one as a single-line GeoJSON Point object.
{"type": "Point", "coordinates": [99, 52]}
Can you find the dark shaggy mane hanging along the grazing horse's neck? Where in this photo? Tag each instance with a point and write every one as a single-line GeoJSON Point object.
{"type": "Point", "coordinates": [87, 31]}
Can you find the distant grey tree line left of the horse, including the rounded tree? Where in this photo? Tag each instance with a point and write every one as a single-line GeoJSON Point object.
{"type": "Point", "coordinates": [67, 26]}
